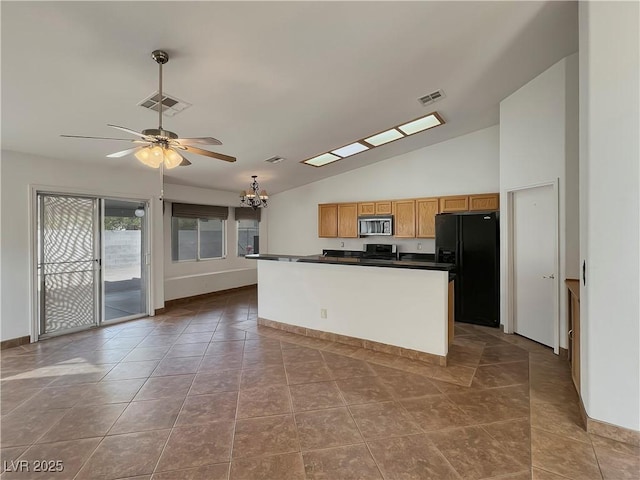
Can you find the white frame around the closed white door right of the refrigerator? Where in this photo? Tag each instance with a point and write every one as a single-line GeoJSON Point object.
{"type": "Point", "coordinates": [510, 270]}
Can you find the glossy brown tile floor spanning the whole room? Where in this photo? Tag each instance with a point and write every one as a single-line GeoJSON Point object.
{"type": "Point", "coordinates": [202, 392]}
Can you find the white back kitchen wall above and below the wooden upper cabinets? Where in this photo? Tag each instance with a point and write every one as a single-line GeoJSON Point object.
{"type": "Point", "coordinates": [466, 164]}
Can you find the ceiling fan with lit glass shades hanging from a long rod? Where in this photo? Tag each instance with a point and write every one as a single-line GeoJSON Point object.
{"type": "Point", "coordinates": [159, 148]}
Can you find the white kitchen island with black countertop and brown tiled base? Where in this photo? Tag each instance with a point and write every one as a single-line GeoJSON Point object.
{"type": "Point", "coordinates": [394, 306]}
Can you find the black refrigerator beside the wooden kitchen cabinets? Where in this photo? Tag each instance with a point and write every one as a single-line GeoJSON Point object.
{"type": "Point", "coordinates": [471, 242]}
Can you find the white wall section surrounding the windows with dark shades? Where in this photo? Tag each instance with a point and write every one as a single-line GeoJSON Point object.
{"type": "Point", "coordinates": [185, 279]}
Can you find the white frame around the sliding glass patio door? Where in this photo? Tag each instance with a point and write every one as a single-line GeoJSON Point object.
{"type": "Point", "coordinates": [33, 190]}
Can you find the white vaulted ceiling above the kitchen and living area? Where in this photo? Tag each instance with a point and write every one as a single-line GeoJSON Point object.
{"type": "Point", "coordinates": [293, 79]}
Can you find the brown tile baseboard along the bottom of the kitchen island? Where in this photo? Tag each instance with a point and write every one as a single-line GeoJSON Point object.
{"type": "Point", "coordinates": [356, 342]}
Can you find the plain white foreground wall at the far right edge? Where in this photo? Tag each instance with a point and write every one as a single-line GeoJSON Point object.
{"type": "Point", "coordinates": [609, 210]}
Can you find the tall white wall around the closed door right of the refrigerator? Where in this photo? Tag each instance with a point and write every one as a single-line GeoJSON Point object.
{"type": "Point", "coordinates": [539, 144]}
